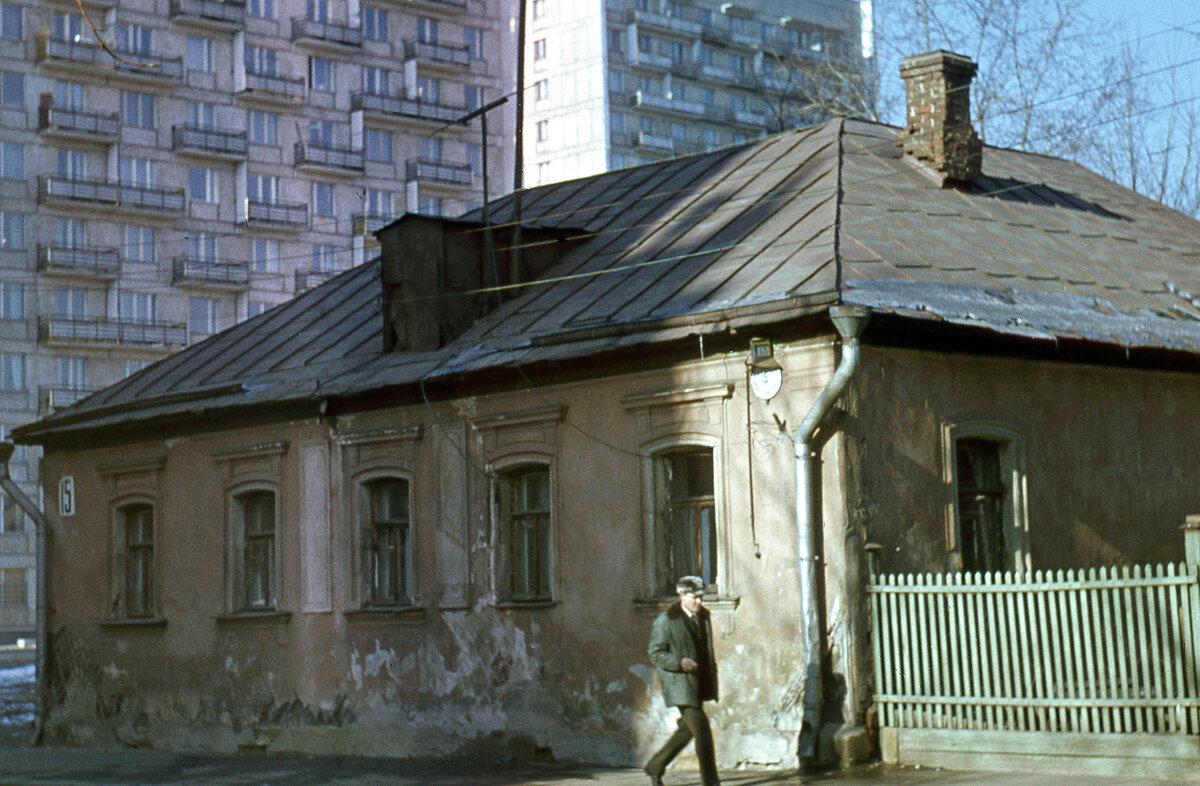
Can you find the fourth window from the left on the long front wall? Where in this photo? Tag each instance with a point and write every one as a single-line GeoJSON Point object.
{"type": "Point", "coordinates": [523, 503]}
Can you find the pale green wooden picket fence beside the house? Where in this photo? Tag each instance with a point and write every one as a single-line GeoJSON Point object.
{"type": "Point", "coordinates": [1099, 651]}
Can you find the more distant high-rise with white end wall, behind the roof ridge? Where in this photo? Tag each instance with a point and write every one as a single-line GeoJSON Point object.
{"type": "Point", "coordinates": [616, 83]}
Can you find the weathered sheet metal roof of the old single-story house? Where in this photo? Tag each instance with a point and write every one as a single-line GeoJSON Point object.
{"type": "Point", "coordinates": [752, 235]}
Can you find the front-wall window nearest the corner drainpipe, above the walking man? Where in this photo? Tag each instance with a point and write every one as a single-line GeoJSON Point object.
{"type": "Point", "coordinates": [685, 517]}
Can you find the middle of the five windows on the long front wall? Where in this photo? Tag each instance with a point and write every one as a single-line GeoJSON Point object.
{"type": "Point", "coordinates": [387, 543]}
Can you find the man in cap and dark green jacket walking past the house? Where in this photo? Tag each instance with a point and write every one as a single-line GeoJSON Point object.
{"type": "Point", "coordinates": [682, 650]}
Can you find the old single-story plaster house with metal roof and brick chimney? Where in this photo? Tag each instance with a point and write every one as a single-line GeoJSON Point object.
{"type": "Point", "coordinates": [436, 503]}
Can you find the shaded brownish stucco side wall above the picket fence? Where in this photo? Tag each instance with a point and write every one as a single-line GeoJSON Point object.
{"type": "Point", "coordinates": [1111, 458]}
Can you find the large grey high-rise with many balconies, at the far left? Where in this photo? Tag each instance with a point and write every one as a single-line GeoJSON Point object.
{"type": "Point", "coordinates": [172, 167]}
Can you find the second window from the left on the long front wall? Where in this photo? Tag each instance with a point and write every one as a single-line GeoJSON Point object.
{"type": "Point", "coordinates": [254, 561]}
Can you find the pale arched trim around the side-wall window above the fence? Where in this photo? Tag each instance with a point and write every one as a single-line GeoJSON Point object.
{"type": "Point", "coordinates": [1013, 469]}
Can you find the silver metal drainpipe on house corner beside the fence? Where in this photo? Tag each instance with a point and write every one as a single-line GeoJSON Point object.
{"type": "Point", "coordinates": [850, 322]}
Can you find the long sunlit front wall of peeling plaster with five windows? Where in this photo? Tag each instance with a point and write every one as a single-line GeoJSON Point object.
{"type": "Point", "coordinates": [459, 673]}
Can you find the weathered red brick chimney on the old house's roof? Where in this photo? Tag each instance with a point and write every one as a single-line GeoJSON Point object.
{"type": "Point", "coordinates": [939, 131]}
